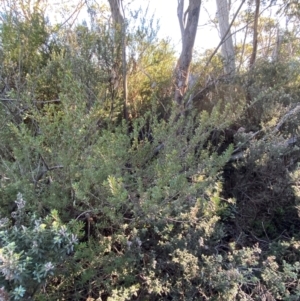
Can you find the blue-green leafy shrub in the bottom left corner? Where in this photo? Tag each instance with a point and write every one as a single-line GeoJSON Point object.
{"type": "Point", "coordinates": [31, 249]}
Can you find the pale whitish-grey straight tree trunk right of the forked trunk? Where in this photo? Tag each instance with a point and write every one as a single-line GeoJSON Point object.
{"type": "Point", "coordinates": [227, 48]}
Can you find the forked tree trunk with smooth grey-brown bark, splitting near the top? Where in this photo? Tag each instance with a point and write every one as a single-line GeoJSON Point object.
{"type": "Point", "coordinates": [188, 22]}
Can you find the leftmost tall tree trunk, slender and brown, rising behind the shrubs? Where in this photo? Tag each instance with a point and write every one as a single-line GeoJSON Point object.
{"type": "Point", "coordinates": [117, 13]}
